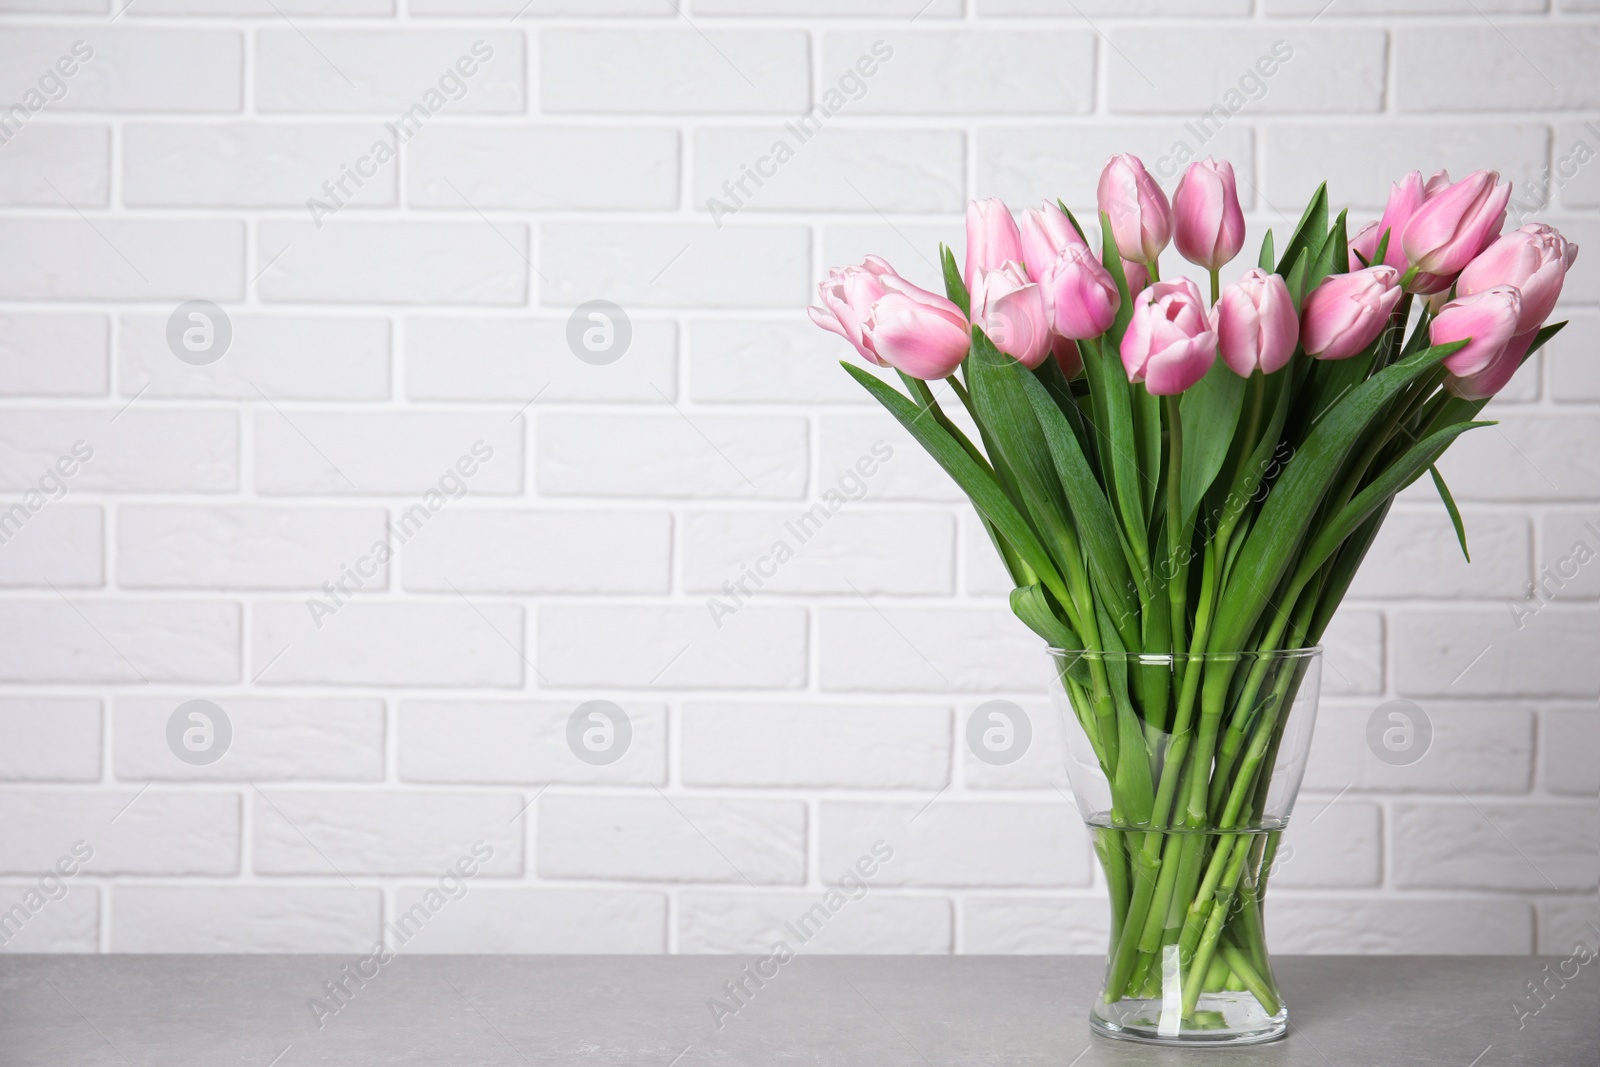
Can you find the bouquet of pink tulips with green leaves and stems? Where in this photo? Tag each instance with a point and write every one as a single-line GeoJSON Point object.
{"type": "Point", "coordinates": [1177, 478]}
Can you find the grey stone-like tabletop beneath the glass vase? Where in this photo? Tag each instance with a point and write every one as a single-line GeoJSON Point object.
{"type": "Point", "coordinates": [652, 1012]}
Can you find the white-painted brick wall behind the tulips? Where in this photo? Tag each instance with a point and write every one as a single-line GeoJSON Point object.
{"type": "Point", "coordinates": [484, 167]}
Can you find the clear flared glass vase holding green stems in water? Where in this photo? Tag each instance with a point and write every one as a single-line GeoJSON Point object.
{"type": "Point", "coordinates": [1186, 770]}
